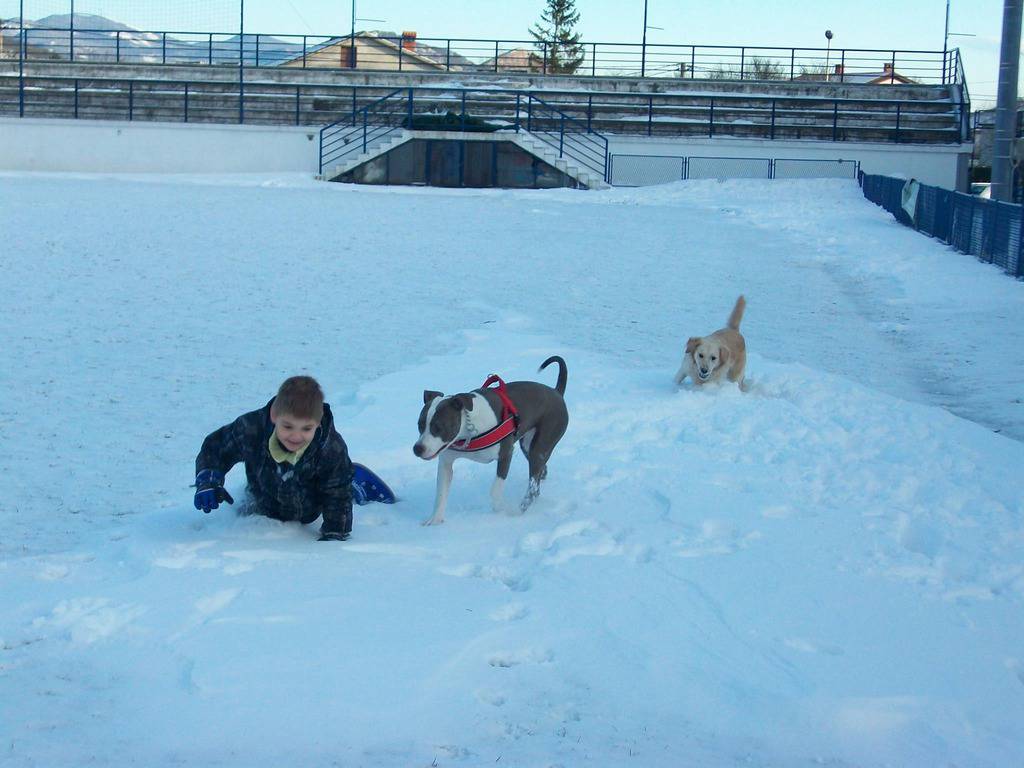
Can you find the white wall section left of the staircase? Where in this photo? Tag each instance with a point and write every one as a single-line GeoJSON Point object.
{"type": "Point", "coordinates": [117, 147]}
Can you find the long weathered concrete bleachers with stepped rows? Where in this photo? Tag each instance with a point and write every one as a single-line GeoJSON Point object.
{"type": "Point", "coordinates": [654, 107]}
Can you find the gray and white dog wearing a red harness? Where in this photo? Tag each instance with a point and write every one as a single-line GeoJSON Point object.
{"type": "Point", "coordinates": [467, 426]}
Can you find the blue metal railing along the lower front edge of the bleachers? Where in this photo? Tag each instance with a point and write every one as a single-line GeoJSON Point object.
{"type": "Point", "coordinates": [664, 115]}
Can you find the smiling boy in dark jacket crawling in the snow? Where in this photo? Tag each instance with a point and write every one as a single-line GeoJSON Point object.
{"type": "Point", "coordinates": [297, 465]}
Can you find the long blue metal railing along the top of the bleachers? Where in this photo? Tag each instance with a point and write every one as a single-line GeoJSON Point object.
{"type": "Point", "coordinates": [468, 55]}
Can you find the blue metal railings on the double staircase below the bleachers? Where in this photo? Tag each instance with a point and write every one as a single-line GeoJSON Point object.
{"type": "Point", "coordinates": [372, 124]}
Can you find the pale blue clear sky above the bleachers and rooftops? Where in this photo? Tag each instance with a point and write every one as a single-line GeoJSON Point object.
{"type": "Point", "coordinates": [909, 25]}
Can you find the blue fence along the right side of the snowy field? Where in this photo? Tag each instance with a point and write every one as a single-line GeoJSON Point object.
{"type": "Point", "coordinates": [989, 230]}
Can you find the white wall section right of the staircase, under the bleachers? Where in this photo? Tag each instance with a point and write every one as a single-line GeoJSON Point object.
{"type": "Point", "coordinates": [942, 165]}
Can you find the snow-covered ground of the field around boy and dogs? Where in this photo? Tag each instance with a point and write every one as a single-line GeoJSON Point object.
{"type": "Point", "coordinates": [828, 570]}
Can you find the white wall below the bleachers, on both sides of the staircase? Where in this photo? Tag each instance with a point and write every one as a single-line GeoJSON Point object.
{"type": "Point", "coordinates": [117, 147]}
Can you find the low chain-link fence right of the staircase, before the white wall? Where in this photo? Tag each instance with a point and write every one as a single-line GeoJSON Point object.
{"type": "Point", "coordinates": [646, 170]}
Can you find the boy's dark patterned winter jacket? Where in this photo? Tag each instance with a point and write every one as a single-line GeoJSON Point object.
{"type": "Point", "coordinates": [320, 484]}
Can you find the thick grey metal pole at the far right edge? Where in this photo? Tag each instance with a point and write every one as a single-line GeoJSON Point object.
{"type": "Point", "coordinates": [1006, 104]}
